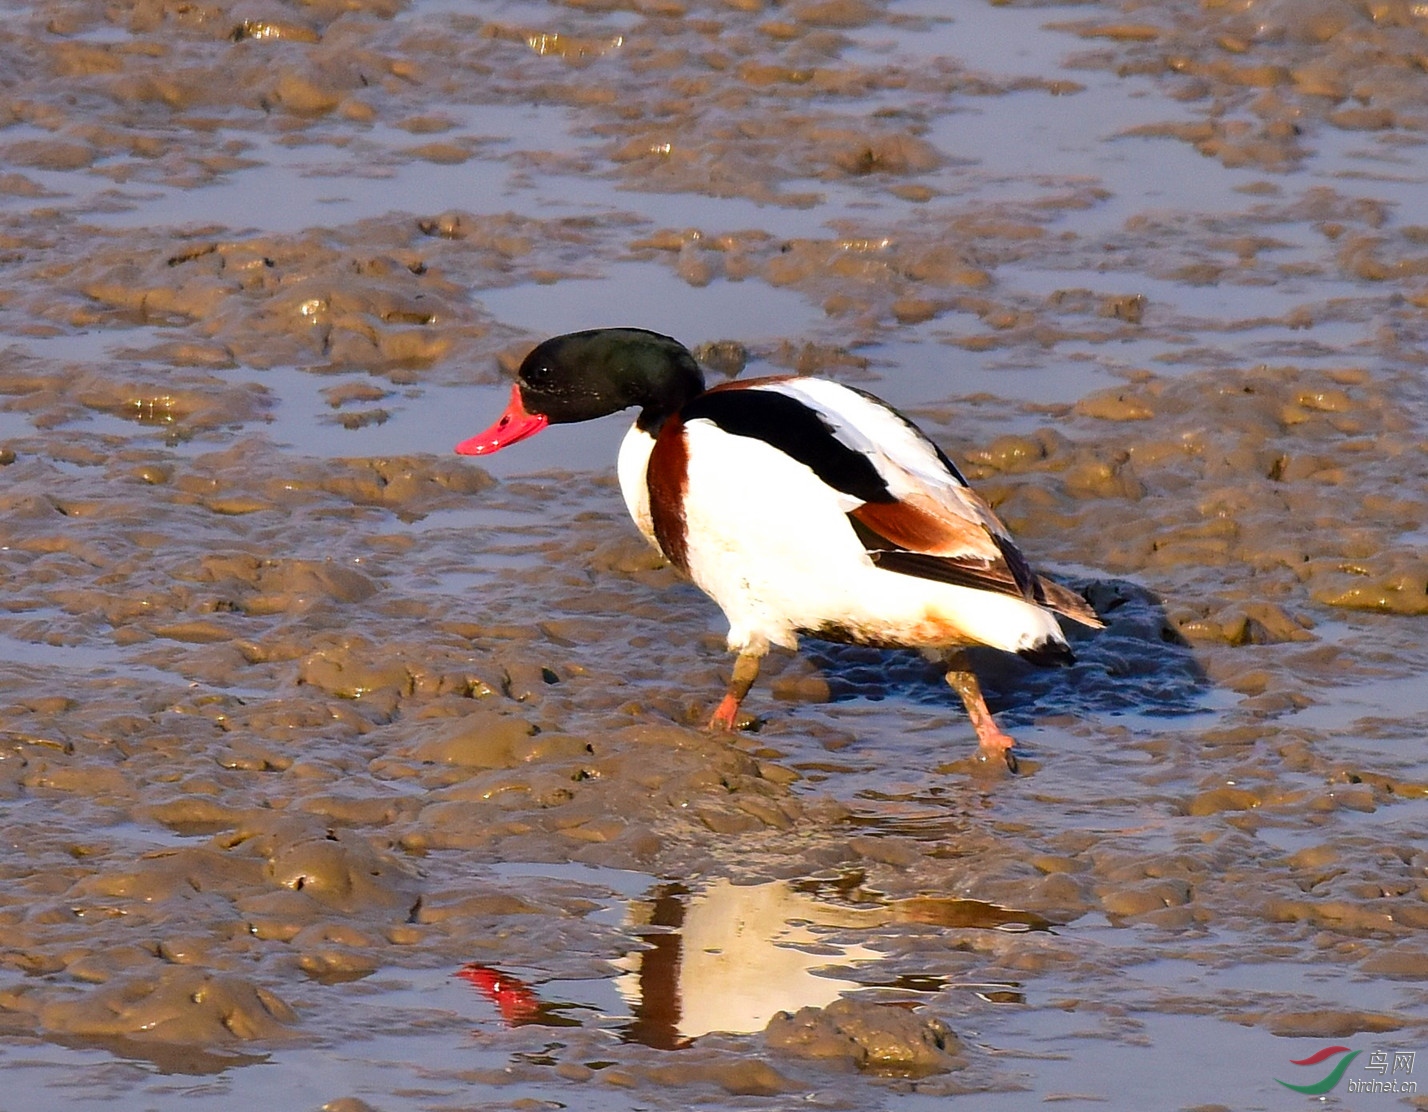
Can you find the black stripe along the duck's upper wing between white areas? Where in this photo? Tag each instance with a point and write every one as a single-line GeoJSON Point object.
{"type": "Point", "coordinates": [798, 432]}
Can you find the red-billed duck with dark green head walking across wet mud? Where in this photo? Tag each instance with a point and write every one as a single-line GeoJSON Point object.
{"type": "Point", "coordinates": [802, 507]}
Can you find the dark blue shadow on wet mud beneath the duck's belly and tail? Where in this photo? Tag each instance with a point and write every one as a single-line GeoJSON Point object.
{"type": "Point", "coordinates": [1137, 664]}
